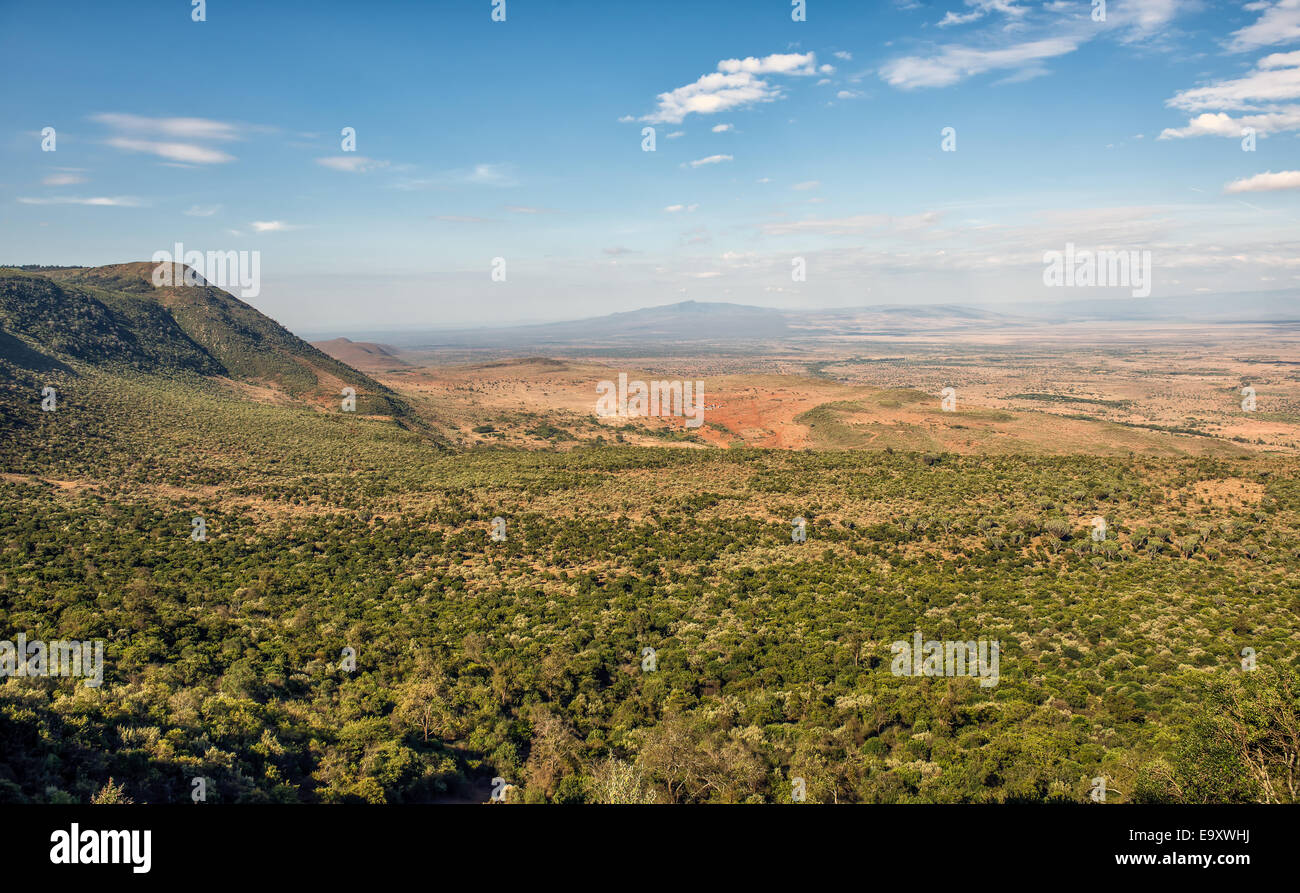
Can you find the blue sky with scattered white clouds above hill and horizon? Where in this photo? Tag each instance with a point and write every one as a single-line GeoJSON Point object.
{"type": "Point", "coordinates": [774, 140]}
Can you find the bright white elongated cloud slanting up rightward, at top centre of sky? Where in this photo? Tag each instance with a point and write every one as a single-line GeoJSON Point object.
{"type": "Point", "coordinates": [736, 84]}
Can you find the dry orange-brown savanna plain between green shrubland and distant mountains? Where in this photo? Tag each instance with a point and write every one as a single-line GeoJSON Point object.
{"type": "Point", "coordinates": [1099, 389]}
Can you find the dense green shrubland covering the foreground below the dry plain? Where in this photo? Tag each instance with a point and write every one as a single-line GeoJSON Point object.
{"type": "Point", "coordinates": [523, 660]}
